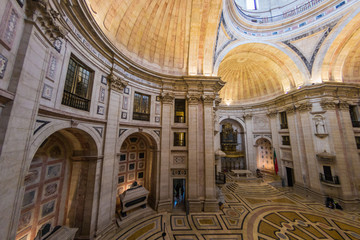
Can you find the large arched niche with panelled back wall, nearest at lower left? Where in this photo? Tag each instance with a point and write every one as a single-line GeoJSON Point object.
{"type": "Point", "coordinates": [59, 185]}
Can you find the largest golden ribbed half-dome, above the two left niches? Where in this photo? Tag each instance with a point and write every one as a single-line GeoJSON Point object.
{"type": "Point", "coordinates": [168, 36]}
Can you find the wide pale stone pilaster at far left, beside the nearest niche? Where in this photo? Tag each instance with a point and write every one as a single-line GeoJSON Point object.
{"type": "Point", "coordinates": [17, 123]}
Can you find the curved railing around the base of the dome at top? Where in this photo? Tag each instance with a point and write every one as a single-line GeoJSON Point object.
{"type": "Point", "coordinates": [287, 14]}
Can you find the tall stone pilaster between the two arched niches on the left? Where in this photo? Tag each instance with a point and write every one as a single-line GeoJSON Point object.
{"type": "Point", "coordinates": [108, 188]}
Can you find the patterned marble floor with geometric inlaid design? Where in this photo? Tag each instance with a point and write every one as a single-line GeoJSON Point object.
{"type": "Point", "coordinates": [252, 210]}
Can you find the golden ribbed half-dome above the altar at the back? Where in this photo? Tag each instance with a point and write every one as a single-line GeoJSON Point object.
{"type": "Point", "coordinates": [254, 72]}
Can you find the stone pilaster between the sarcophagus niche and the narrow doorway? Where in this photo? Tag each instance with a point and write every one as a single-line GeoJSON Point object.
{"type": "Point", "coordinates": [167, 100]}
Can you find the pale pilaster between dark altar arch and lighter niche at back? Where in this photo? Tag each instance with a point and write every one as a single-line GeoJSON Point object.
{"type": "Point", "coordinates": [250, 153]}
